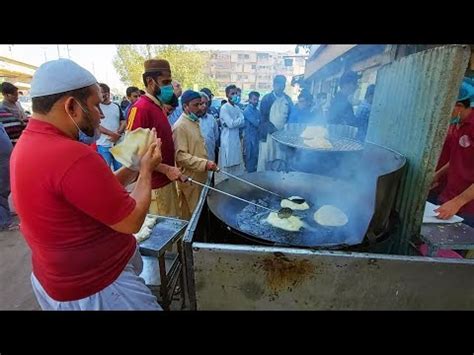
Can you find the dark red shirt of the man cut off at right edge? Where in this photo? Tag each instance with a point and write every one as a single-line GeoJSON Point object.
{"type": "Point", "coordinates": [461, 163]}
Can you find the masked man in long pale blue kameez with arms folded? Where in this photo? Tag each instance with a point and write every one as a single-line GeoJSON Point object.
{"type": "Point", "coordinates": [232, 118]}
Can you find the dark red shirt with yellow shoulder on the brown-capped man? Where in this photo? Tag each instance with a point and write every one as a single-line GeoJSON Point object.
{"type": "Point", "coordinates": [147, 114]}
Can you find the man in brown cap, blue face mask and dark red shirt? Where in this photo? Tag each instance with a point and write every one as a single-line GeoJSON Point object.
{"type": "Point", "coordinates": [148, 112]}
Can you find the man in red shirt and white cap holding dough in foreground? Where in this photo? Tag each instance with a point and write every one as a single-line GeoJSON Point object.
{"type": "Point", "coordinates": [75, 214]}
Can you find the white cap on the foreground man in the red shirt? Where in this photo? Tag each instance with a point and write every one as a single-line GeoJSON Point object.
{"type": "Point", "coordinates": [58, 76]}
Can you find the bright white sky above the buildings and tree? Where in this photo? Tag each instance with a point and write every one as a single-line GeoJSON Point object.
{"type": "Point", "coordinates": [98, 58]}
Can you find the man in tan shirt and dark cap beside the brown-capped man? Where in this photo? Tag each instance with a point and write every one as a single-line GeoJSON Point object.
{"type": "Point", "coordinates": [191, 152]}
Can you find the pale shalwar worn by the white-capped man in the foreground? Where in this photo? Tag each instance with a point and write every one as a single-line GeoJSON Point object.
{"type": "Point", "coordinates": [128, 292]}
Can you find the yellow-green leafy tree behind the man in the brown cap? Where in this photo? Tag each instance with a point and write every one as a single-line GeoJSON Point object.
{"type": "Point", "coordinates": [188, 65]}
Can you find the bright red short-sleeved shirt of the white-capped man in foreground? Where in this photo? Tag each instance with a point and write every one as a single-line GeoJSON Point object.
{"type": "Point", "coordinates": [66, 196]}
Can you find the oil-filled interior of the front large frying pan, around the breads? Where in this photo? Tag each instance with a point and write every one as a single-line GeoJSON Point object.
{"type": "Point", "coordinates": [357, 203]}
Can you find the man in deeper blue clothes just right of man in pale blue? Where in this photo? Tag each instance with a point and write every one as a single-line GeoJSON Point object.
{"type": "Point", "coordinates": [252, 121]}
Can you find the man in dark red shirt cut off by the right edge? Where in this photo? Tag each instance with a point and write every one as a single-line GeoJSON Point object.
{"type": "Point", "coordinates": [457, 196]}
